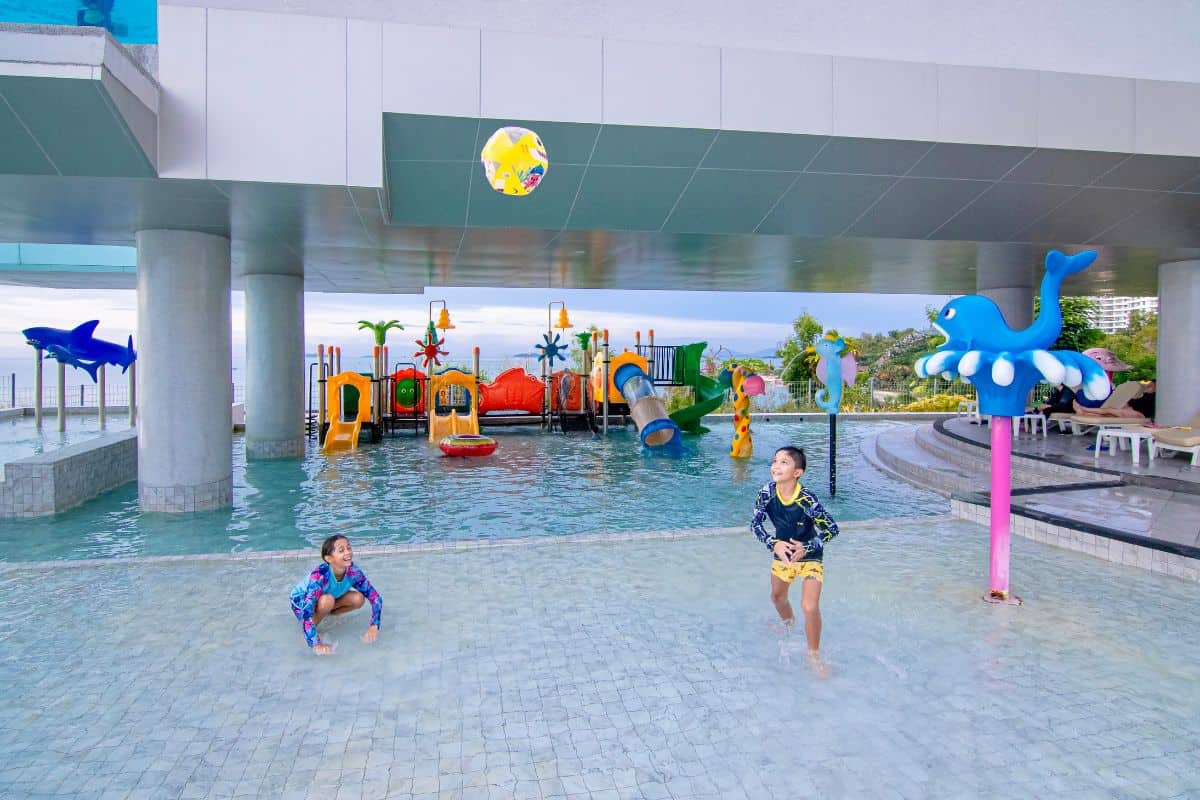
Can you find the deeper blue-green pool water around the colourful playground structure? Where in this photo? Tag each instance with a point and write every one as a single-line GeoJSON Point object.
{"type": "Point", "coordinates": [537, 485]}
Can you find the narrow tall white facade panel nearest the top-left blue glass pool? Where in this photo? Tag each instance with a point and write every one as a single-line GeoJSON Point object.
{"type": "Point", "coordinates": [183, 110]}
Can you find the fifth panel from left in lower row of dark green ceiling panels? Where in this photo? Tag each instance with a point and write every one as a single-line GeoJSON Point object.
{"type": "Point", "coordinates": [824, 206]}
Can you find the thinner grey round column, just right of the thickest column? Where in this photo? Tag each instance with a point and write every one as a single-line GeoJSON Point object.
{"type": "Point", "coordinates": [275, 371]}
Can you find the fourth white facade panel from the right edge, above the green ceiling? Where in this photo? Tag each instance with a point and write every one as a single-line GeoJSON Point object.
{"type": "Point", "coordinates": [885, 100]}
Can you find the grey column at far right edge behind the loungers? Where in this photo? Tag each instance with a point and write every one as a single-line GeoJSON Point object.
{"type": "Point", "coordinates": [1179, 330]}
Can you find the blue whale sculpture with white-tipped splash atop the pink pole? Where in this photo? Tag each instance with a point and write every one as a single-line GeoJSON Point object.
{"type": "Point", "coordinates": [1004, 365]}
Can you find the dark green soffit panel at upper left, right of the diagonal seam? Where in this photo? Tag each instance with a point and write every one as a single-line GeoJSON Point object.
{"type": "Point", "coordinates": [77, 127]}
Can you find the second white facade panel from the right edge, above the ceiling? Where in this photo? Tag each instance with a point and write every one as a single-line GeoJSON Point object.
{"type": "Point", "coordinates": [1085, 112]}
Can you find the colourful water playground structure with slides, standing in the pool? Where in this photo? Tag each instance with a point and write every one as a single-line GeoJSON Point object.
{"type": "Point", "coordinates": [610, 388]}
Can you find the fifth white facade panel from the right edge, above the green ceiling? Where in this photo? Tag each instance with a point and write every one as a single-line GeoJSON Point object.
{"type": "Point", "coordinates": [781, 93]}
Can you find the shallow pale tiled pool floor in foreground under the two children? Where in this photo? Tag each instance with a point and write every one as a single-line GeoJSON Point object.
{"type": "Point", "coordinates": [628, 670]}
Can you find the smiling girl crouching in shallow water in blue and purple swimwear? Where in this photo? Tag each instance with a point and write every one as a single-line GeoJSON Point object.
{"type": "Point", "coordinates": [335, 587]}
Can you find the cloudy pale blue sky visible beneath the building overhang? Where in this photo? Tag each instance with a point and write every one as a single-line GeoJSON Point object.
{"type": "Point", "coordinates": [501, 322]}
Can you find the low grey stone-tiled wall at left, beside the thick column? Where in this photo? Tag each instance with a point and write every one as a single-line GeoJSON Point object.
{"type": "Point", "coordinates": [63, 479]}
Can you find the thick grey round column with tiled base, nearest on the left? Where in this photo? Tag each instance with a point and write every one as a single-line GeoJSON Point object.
{"type": "Point", "coordinates": [185, 362]}
